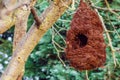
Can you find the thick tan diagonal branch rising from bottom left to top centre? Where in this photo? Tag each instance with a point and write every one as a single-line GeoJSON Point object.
{"type": "Point", "coordinates": [31, 39]}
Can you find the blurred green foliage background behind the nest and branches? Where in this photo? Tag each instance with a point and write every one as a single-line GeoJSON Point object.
{"type": "Point", "coordinates": [47, 59]}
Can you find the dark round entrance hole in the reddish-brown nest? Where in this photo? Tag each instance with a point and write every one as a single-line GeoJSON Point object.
{"type": "Point", "coordinates": [82, 40]}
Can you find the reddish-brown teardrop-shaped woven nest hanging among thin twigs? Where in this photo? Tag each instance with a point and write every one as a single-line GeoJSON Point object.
{"type": "Point", "coordinates": [85, 44]}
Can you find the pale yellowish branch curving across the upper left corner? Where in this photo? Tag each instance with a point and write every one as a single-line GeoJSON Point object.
{"type": "Point", "coordinates": [7, 19]}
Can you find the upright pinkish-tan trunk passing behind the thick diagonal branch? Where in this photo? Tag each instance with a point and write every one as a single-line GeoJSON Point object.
{"type": "Point", "coordinates": [20, 29]}
